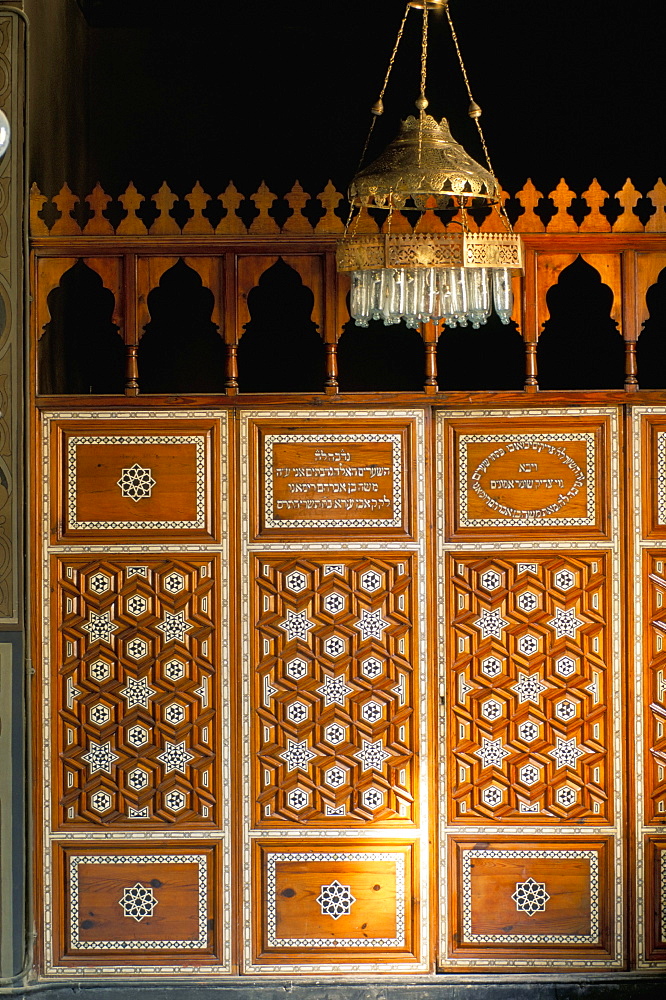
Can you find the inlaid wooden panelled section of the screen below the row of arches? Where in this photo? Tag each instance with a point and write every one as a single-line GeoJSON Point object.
{"type": "Point", "coordinates": [313, 680]}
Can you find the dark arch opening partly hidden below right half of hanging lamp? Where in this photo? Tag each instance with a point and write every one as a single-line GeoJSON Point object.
{"type": "Point", "coordinates": [490, 358]}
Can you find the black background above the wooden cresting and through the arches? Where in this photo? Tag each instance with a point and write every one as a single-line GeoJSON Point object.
{"type": "Point", "coordinates": [203, 90]}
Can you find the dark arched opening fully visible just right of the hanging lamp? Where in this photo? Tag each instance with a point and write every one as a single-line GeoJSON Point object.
{"type": "Point", "coordinates": [580, 346]}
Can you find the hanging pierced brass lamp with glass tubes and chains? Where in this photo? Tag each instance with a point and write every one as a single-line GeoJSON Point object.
{"type": "Point", "coordinates": [454, 275]}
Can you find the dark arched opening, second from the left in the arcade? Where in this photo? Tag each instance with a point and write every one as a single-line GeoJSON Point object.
{"type": "Point", "coordinates": [181, 350]}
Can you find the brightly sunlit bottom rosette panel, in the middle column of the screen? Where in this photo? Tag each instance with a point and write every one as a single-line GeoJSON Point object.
{"type": "Point", "coordinates": [335, 902]}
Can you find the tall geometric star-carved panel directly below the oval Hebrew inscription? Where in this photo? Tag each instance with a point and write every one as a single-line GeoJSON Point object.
{"type": "Point", "coordinates": [529, 687]}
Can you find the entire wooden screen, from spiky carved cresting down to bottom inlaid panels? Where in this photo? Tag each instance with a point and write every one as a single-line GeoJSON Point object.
{"type": "Point", "coordinates": [334, 683]}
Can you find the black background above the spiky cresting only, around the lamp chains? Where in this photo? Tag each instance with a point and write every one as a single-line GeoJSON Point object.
{"type": "Point", "coordinates": [212, 90]}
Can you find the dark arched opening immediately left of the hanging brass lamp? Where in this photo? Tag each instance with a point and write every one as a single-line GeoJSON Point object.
{"type": "Point", "coordinates": [281, 349]}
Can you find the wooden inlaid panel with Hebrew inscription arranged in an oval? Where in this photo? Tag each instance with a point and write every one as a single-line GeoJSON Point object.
{"type": "Point", "coordinates": [527, 477]}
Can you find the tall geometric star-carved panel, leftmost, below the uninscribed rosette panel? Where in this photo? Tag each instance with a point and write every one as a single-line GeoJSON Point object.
{"type": "Point", "coordinates": [136, 685]}
